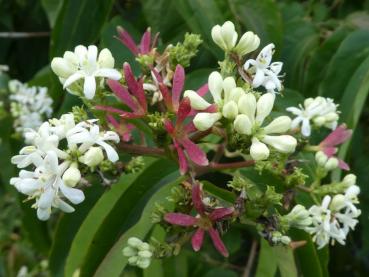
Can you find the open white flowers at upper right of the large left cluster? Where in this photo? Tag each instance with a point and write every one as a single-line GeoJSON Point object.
{"type": "Point", "coordinates": [88, 134]}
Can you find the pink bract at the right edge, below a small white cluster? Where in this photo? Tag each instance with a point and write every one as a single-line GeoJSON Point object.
{"type": "Point", "coordinates": [335, 138]}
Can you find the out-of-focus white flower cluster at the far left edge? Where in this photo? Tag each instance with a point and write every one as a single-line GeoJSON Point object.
{"type": "Point", "coordinates": [30, 106]}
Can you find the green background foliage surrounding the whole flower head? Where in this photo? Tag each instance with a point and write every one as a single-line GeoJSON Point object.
{"type": "Point", "coordinates": [325, 49]}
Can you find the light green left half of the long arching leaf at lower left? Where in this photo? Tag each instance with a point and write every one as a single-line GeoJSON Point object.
{"type": "Point", "coordinates": [101, 211]}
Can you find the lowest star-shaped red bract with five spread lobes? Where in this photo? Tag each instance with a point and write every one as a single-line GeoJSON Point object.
{"type": "Point", "coordinates": [203, 221]}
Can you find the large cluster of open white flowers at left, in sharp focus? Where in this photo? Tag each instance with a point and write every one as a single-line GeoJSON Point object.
{"type": "Point", "coordinates": [54, 172]}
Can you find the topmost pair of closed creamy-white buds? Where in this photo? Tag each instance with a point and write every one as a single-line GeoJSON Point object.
{"type": "Point", "coordinates": [225, 37]}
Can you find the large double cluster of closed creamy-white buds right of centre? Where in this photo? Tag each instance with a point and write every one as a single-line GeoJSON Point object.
{"type": "Point", "coordinates": [247, 113]}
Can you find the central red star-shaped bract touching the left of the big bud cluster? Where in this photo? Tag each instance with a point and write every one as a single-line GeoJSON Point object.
{"type": "Point", "coordinates": [179, 134]}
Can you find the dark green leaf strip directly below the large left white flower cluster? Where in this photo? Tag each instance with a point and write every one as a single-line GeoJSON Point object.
{"type": "Point", "coordinates": [67, 227]}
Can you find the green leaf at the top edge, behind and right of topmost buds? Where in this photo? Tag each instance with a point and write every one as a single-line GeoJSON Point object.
{"type": "Point", "coordinates": [262, 17]}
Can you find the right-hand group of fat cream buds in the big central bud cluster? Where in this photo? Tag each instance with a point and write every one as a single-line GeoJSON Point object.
{"type": "Point", "coordinates": [250, 123]}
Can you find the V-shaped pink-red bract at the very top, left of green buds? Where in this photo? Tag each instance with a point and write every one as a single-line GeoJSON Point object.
{"type": "Point", "coordinates": [145, 46]}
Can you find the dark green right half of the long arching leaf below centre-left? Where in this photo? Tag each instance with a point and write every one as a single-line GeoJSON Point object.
{"type": "Point", "coordinates": [126, 211]}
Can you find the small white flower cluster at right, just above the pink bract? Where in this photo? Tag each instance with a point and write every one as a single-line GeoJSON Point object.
{"type": "Point", "coordinates": [320, 111]}
